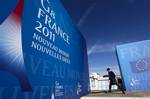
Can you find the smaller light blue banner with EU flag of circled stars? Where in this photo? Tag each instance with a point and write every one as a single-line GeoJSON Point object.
{"type": "Point", "coordinates": [134, 62]}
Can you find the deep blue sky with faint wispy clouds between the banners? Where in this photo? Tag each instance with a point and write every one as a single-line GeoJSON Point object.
{"type": "Point", "coordinates": [108, 23]}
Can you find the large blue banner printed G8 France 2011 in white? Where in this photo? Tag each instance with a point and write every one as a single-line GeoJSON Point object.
{"type": "Point", "coordinates": [43, 55]}
